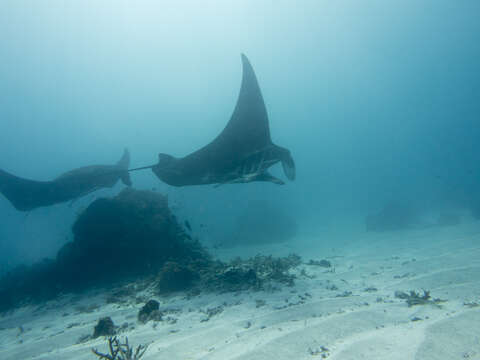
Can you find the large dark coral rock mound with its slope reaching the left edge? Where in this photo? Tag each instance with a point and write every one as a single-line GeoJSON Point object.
{"type": "Point", "coordinates": [129, 236]}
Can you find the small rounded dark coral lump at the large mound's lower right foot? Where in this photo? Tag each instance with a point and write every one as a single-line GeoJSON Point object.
{"type": "Point", "coordinates": [175, 277]}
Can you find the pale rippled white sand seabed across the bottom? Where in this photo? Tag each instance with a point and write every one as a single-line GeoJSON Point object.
{"type": "Point", "coordinates": [298, 322]}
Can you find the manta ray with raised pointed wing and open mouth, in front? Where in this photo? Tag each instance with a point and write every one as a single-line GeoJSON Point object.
{"type": "Point", "coordinates": [242, 152]}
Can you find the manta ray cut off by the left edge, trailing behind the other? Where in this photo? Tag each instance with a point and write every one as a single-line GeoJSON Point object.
{"type": "Point", "coordinates": [25, 194]}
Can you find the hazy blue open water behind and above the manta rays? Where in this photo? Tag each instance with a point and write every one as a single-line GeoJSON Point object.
{"type": "Point", "coordinates": [377, 101]}
